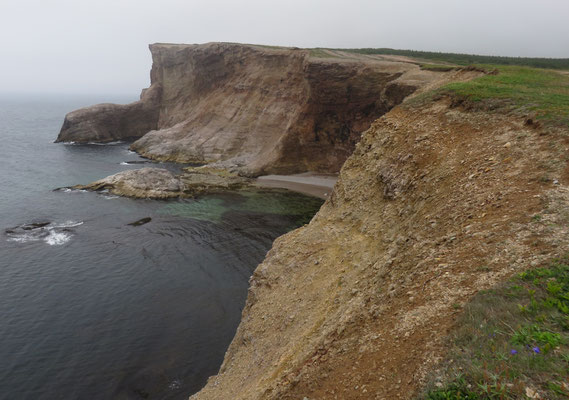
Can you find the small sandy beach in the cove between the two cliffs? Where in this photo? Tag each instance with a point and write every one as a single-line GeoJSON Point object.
{"type": "Point", "coordinates": [310, 183]}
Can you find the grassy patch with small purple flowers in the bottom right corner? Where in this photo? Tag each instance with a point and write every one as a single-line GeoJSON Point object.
{"type": "Point", "coordinates": [512, 342]}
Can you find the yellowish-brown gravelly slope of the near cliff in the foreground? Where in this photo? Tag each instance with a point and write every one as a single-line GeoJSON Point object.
{"type": "Point", "coordinates": [356, 304]}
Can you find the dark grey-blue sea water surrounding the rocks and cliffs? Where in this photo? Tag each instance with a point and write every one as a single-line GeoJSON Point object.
{"type": "Point", "coordinates": [94, 308]}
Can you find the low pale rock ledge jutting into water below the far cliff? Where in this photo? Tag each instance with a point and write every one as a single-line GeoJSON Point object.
{"type": "Point", "coordinates": [158, 183]}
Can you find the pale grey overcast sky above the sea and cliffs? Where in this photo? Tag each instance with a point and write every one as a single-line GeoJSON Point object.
{"type": "Point", "coordinates": [101, 46]}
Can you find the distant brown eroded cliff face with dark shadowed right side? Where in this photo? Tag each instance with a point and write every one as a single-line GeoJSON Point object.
{"type": "Point", "coordinates": [252, 109]}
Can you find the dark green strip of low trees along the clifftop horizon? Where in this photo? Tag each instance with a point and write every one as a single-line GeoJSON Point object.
{"type": "Point", "coordinates": [468, 59]}
